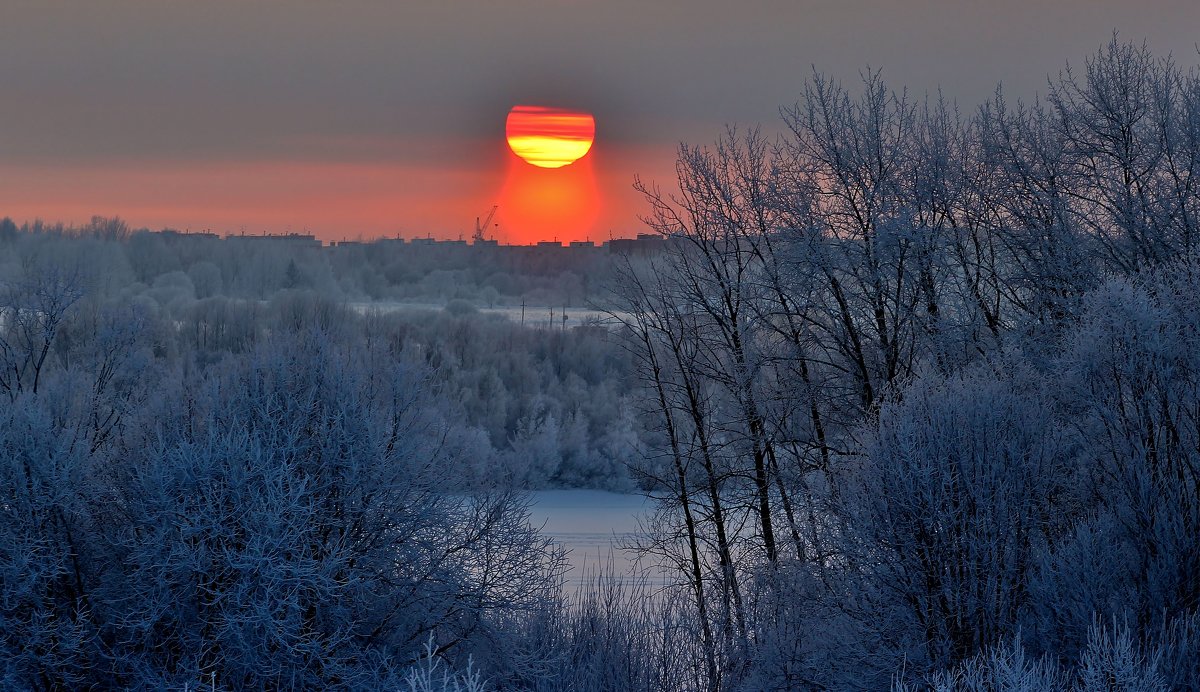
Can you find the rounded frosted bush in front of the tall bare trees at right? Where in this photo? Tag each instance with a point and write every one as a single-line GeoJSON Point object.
{"type": "Point", "coordinates": [958, 492]}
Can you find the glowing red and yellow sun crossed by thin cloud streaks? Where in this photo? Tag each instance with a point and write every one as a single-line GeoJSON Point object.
{"type": "Point", "coordinates": [550, 137]}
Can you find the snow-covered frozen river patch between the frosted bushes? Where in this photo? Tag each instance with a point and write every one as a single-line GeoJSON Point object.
{"type": "Point", "coordinates": [591, 525]}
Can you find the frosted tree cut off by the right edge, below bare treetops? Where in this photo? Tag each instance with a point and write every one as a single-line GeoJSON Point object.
{"type": "Point", "coordinates": [1132, 399]}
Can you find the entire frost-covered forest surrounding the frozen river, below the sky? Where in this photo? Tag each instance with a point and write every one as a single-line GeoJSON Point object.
{"type": "Point", "coordinates": [916, 394]}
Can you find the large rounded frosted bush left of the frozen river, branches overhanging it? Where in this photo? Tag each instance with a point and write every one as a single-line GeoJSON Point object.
{"type": "Point", "coordinates": [301, 532]}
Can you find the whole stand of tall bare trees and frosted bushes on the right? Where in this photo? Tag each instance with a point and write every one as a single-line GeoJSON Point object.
{"type": "Point", "coordinates": [927, 388]}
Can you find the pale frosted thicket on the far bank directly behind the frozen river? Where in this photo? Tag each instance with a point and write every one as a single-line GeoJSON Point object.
{"type": "Point", "coordinates": [555, 404]}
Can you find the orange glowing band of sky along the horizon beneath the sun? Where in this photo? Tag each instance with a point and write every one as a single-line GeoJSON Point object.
{"type": "Point", "coordinates": [346, 200]}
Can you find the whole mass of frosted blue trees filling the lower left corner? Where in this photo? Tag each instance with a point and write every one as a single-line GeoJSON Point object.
{"type": "Point", "coordinates": [291, 518]}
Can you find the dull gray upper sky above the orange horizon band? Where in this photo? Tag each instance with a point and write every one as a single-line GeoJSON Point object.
{"type": "Point", "coordinates": [407, 85]}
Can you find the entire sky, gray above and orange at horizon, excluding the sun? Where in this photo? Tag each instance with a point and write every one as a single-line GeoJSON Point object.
{"type": "Point", "coordinates": [362, 119]}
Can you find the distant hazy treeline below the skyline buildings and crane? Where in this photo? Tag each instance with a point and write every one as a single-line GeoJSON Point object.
{"type": "Point", "coordinates": [380, 272]}
